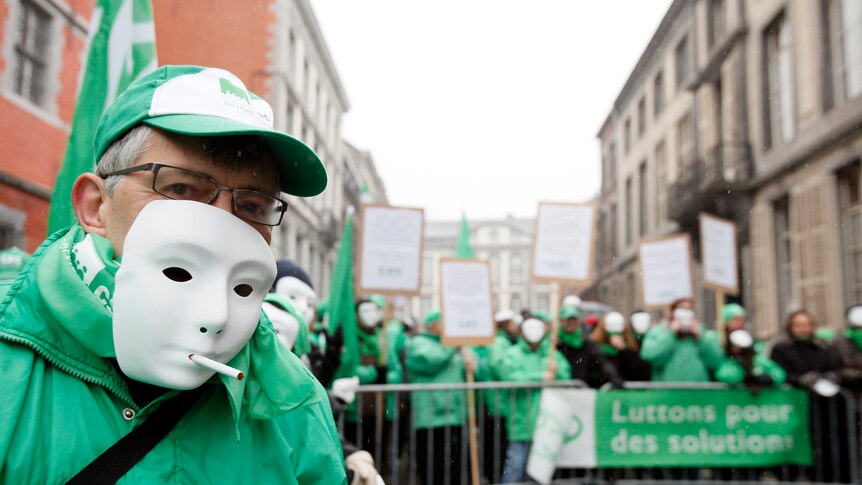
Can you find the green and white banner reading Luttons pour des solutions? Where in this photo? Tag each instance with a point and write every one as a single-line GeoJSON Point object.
{"type": "Point", "coordinates": [669, 428]}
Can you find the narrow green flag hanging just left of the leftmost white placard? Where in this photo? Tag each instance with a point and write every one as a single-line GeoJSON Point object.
{"type": "Point", "coordinates": [341, 311]}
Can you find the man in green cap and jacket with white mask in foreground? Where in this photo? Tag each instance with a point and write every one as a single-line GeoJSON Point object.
{"type": "Point", "coordinates": [194, 138]}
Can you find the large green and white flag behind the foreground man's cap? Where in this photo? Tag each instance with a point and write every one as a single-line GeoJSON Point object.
{"type": "Point", "coordinates": [121, 47]}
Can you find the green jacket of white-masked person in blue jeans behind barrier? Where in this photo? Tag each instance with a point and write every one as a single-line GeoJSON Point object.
{"type": "Point", "coordinates": [522, 364]}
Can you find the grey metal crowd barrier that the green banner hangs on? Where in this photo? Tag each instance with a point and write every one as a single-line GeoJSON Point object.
{"type": "Point", "coordinates": [394, 441]}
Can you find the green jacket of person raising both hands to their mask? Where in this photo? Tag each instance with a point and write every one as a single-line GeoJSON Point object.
{"type": "Point", "coordinates": [675, 359]}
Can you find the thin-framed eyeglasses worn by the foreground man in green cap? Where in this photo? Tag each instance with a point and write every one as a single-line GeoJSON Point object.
{"type": "Point", "coordinates": [181, 184]}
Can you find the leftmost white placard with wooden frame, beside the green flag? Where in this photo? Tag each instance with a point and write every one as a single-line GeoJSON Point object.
{"type": "Point", "coordinates": [390, 250]}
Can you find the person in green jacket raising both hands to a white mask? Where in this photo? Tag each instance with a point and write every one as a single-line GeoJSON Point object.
{"type": "Point", "coordinates": [676, 350]}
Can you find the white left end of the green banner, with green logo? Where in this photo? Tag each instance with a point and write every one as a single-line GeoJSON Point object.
{"type": "Point", "coordinates": [565, 433]}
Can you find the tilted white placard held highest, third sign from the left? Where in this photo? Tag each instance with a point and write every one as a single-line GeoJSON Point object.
{"type": "Point", "coordinates": [564, 243]}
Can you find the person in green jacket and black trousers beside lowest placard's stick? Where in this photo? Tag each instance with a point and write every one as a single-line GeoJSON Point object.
{"type": "Point", "coordinates": [437, 415]}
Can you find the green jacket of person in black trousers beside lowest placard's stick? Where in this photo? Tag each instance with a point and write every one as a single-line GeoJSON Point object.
{"type": "Point", "coordinates": [428, 362]}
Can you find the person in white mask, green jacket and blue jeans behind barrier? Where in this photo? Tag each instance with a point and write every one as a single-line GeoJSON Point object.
{"type": "Point", "coordinates": [528, 361]}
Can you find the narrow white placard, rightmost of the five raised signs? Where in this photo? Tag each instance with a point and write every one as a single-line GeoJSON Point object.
{"type": "Point", "coordinates": [718, 253]}
